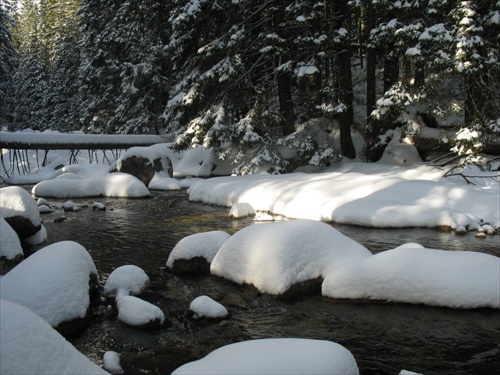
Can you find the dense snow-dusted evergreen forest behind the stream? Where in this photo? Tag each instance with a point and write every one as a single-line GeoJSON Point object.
{"type": "Point", "coordinates": [248, 77]}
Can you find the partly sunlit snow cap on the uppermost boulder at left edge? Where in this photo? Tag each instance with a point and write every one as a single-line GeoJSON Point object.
{"type": "Point", "coordinates": [15, 201]}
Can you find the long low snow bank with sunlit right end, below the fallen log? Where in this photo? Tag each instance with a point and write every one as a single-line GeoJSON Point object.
{"type": "Point", "coordinates": [120, 185]}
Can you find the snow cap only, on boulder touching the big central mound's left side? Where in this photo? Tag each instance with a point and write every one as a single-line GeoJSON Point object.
{"type": "Point", "coordinates": [205, 245]}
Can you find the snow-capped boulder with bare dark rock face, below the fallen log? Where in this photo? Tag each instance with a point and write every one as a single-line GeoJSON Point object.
{"type": "Point", "coordinates": [144, 162]}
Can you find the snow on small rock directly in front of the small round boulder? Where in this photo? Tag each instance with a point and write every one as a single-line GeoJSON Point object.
{"type": "Point", "coordinates": [137, 312]}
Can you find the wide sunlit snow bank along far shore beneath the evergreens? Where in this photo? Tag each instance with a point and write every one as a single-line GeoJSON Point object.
{"type": "Point", "coordinates": [361, 194]}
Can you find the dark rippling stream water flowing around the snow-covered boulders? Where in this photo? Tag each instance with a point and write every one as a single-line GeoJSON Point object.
{"type": "Point", "coordinates": [383, 337]}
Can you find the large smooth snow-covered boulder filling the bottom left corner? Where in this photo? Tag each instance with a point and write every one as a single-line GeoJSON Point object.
{"type": "Point", "coordinates": [29, 345]}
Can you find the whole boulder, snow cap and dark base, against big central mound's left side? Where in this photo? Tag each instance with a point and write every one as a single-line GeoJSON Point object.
{"type": "Point", "coordinates": [193, 254]}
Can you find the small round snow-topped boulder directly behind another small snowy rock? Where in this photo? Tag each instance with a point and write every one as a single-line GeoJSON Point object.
{"type": "Point", "coordinates": [125, 280]}
